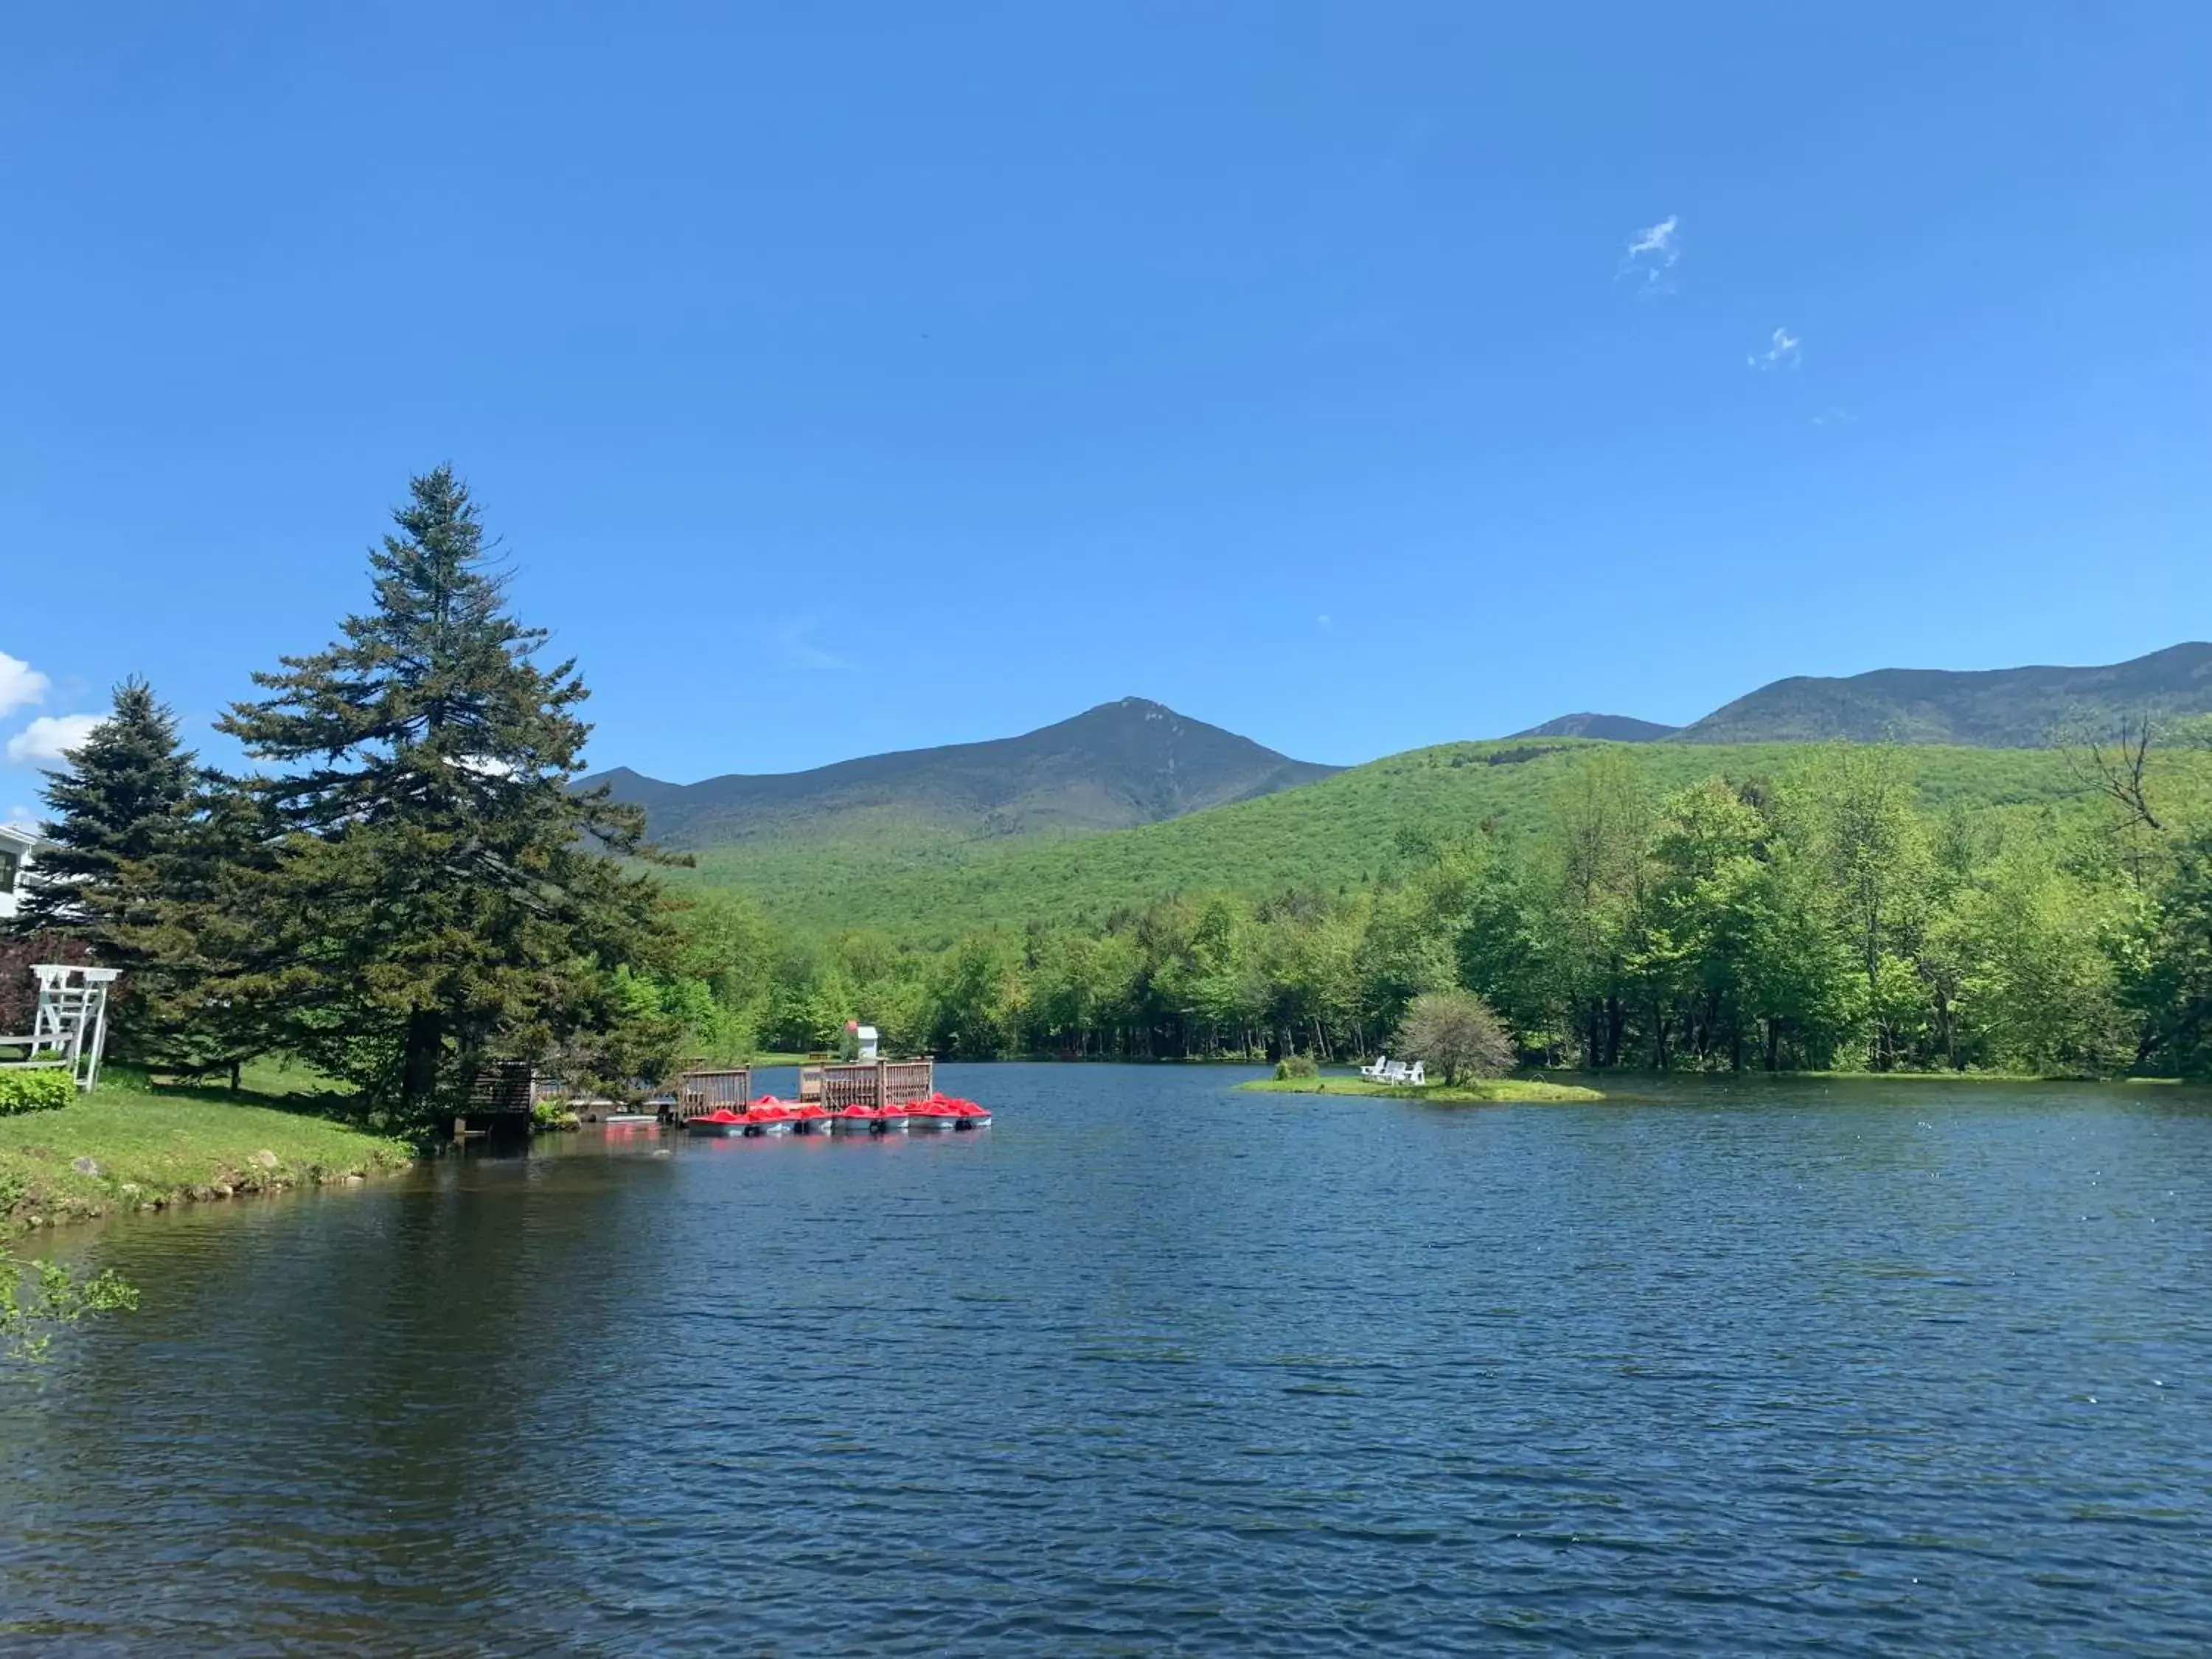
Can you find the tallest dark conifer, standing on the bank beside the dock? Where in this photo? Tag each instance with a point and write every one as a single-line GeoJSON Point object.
{"type": "Point", "coordinates": [437, 890]}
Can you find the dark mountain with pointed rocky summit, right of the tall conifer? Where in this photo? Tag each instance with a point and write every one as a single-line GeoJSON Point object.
{"type": "Point", "coordinates": [1109, 769]}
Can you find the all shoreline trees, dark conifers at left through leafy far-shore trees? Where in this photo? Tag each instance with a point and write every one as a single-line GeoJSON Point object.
{"type": "Point", "coordinates": [406, 884]}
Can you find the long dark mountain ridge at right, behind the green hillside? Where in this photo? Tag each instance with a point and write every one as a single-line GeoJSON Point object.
{"type": "Point", "coordinates": [1985, 709]}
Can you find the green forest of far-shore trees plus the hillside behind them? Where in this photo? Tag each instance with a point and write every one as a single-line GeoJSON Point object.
{"type": "Point", "coordinates": [1620, 906]}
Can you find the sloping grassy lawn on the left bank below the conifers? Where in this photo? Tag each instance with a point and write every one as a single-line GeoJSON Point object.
{"type": "Point", "coordinates": [134, 1142]}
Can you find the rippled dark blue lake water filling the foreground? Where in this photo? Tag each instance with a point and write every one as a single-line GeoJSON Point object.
{"type": "Point", "coordinates": [1156, 1368]}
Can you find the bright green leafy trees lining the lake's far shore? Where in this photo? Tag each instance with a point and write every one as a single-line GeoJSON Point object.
{"type": "Point", "coordinates": [1817, 915]}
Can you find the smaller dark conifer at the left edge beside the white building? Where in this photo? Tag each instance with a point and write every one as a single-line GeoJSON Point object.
{"type": "Point", "coordinates": [118, 804]}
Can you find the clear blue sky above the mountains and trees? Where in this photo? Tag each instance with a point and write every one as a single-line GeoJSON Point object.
{"type": "Point", "coordinates": [859, 377]}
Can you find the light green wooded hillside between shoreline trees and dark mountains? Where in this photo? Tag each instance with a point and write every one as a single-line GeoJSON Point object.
{"type": "Point", "coordinates": [928, 886]}
